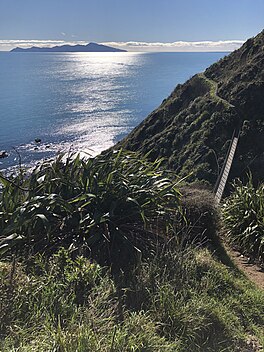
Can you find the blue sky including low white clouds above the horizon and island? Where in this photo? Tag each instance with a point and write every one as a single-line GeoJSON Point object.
{"type": "Point", "coordinates": [135, 25]}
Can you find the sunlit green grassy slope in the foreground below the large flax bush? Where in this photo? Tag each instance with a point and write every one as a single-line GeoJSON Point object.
{"type": "Point", "coordinates": [178, 301]}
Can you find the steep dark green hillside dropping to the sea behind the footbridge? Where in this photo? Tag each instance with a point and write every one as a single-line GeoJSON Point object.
{"type": "Point", "coordinates": [192, 128]}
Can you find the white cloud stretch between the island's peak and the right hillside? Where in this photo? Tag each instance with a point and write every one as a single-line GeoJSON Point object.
{"type": "Point", "coordinates": [221, 45]}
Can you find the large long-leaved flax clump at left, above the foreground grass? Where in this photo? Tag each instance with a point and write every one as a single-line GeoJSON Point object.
{"type": "Point", "coordinates": [111, 208]}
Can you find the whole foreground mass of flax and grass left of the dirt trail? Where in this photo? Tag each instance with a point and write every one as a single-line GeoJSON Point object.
{"type": "Point", "coordinates": [60, 287]}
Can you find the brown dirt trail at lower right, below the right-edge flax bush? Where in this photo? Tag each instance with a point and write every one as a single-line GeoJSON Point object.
{"type": "Point", "coordinates": [252, 271]}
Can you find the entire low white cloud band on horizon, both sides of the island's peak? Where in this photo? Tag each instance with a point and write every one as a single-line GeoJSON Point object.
{"type": "Point", "coordinates": [221, 45]}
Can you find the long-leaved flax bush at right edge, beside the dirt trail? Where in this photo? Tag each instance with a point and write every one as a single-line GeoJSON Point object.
{"type": "Point", "coordinates": [243, 214]}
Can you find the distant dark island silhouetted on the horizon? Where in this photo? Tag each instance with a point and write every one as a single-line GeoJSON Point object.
{"type": "Point", "coordinates": [91, 47]}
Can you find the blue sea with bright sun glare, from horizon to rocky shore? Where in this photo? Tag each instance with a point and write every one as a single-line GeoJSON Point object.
{"type": "Point", "coordinates": [82, 101]}
